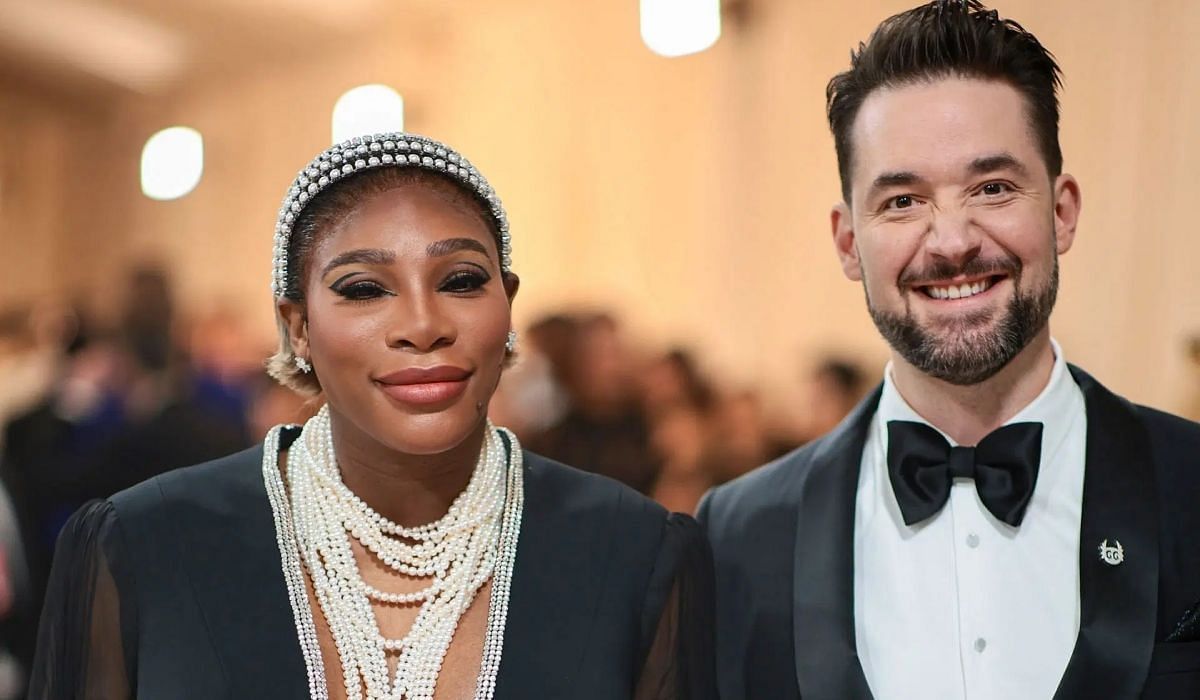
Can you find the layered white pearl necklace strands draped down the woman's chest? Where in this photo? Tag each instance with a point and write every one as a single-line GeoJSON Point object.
{"type": "Point", "coordinates": [475, 542]}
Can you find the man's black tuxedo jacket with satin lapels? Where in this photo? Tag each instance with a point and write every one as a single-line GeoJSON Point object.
{"type": "Point", "coordinates": [783, 540]}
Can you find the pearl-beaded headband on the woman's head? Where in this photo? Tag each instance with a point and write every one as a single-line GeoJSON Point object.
{"type": "Point", "coordinates": [365, 153]}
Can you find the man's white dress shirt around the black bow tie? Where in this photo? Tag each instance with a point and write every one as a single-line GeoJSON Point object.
{"type": "Point", "coordinates": [964, 606]}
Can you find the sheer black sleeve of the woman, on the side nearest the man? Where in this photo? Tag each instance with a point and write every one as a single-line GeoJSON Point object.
{"type": "Point", "coordinates": [677, 620]}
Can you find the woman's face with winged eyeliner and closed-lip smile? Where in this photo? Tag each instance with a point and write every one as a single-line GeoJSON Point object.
{"type": "Point", "coordinates": [406, 319]}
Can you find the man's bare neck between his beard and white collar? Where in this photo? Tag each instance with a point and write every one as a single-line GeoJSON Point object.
{"type": "Point", "coordinates": [969, 414]}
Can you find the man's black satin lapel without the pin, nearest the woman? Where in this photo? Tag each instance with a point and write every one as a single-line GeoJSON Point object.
{"type": "Point", "coordinates": [827, 666]}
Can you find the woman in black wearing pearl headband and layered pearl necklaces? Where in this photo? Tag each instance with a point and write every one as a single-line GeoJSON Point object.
{"type": "Point", "coordinates": [398, 546]}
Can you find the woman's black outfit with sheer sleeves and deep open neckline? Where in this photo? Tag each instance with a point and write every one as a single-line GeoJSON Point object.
{"type": "Point", "coordinates": [175, 589]}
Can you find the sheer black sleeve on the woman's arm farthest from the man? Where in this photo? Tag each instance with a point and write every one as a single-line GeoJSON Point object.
{"type": "Point", "coordinates": [81, 647]}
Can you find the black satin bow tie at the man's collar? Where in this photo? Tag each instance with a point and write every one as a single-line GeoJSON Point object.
{"type": "Point", "coordinates": [923, 466]}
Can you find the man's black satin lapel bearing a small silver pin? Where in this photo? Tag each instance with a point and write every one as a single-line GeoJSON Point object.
{"type": "Point", "coordinates": [1118, 601]}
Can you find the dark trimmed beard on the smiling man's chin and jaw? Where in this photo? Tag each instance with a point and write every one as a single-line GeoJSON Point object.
{"type": "Point", "coordinates": [963, 355]}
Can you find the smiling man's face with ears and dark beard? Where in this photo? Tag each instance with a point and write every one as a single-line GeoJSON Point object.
{"type": "Point", "coordinates": [955, 226]}
